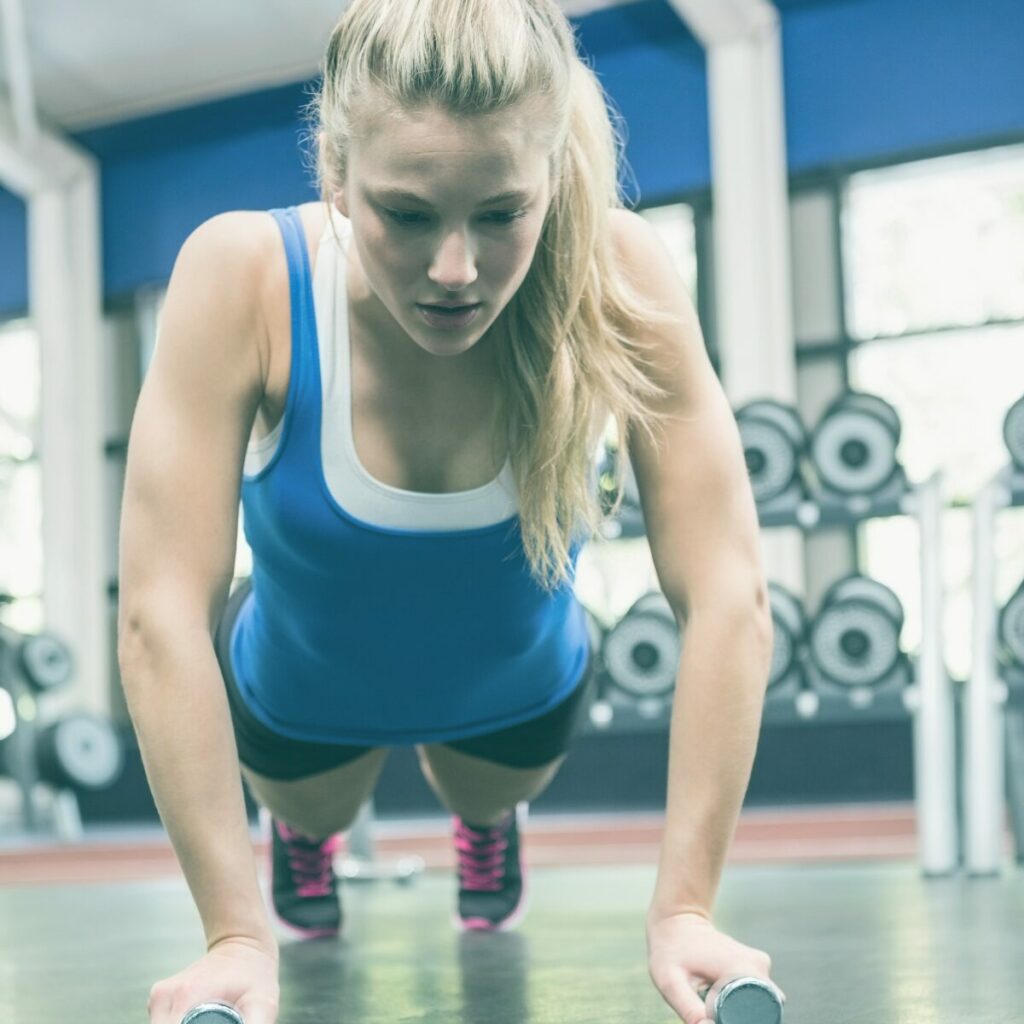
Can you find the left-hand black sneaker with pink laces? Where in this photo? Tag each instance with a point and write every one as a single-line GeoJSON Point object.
{"type": "Point", "coordinates": [303, 881]}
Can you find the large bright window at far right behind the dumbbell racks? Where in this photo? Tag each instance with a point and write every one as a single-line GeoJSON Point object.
{"type": "Point", "coordinates": [937, 249]}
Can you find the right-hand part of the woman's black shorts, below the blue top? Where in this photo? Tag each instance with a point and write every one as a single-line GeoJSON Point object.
{"type": "Point", "coordinates": [540, 742]}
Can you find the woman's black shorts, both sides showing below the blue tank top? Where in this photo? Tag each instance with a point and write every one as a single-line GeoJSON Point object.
{"type": "Point", "coordinates": [530, 745]}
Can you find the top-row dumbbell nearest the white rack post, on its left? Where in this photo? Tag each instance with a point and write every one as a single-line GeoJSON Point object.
{"type": "Point", "coordinates": [854, 447]}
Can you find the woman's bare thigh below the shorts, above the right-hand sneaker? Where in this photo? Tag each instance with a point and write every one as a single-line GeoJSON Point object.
{"type": "Point", "coordinates": [480, 791]}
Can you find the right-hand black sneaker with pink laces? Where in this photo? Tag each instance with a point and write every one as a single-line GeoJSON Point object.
{"type": "Point", "coordinates": [492, 888]}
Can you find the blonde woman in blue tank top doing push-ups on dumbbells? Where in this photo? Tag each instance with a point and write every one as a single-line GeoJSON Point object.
{"type": "Point", "coordinates": [407, 385]}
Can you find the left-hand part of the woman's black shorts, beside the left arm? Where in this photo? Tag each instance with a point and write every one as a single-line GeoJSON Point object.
{"type": "Point", "coordinates": [268, 755]}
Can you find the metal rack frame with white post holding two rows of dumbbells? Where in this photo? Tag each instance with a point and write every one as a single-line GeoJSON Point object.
{"type": "Point", "coordinates": [930, 701]}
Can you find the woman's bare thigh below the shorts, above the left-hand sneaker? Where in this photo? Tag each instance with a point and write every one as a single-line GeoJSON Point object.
{"type": "Point", "coordinates": [323, 804]}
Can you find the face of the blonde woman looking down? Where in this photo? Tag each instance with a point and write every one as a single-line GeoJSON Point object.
{"type": "Point", "coordinates": [444, 211]}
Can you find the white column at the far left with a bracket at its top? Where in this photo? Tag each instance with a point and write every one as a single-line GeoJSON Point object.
{"type": "Point", "coordinates": [61, 187]}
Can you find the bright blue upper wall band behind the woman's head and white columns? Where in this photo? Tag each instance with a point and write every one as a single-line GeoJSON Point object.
{"type": "Point", "coordinates": [866, 81]}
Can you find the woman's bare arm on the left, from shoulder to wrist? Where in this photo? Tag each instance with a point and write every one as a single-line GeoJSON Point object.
{"type": "Point", "coordinates": [179, 534]}
